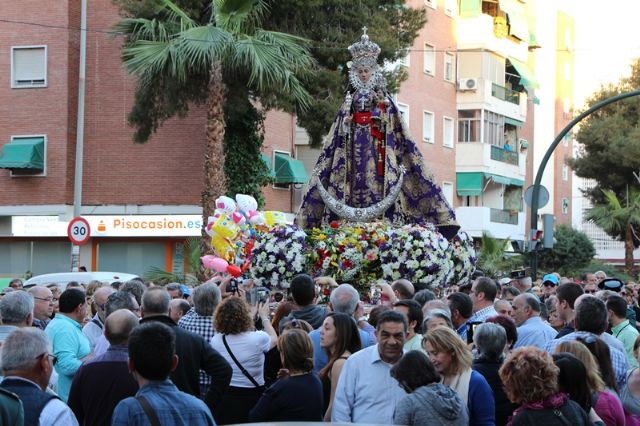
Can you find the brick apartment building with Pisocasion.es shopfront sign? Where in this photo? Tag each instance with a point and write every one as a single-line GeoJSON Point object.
{"type": "Point", "coordinates": [141, 200]}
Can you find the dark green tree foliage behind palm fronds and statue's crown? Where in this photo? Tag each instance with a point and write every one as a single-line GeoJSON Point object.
{"type": "Point", "coordinates": [330, 25]}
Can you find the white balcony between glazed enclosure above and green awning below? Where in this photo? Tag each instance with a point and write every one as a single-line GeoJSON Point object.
{"type": "Point", "coordinates": [490, 159]}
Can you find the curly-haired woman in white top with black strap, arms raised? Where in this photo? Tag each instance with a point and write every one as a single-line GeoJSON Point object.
{"type": "Point", "coordinates": [244, 348]}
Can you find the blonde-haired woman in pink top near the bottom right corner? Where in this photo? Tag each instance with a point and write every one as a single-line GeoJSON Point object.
{"type": "Point", "coordinates": [605, 403]}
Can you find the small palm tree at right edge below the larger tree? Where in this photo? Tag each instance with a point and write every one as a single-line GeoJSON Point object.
{"type": "Point", "coordinates": [619, 220]}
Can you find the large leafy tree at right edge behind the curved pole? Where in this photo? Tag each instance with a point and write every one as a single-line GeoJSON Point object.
{"type": "Point", "coordinates": [610, 139]}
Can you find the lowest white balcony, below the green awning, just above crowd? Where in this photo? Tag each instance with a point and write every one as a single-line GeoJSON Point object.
{"type": "Point", "coordinates": [501, 224]}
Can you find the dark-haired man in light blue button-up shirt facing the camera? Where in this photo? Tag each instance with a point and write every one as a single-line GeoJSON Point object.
{"type": "Point", "coordinates": [366, 392]}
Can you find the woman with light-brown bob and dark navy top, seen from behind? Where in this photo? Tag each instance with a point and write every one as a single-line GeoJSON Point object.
{"type": "Point", "coordinates": [297, 395]}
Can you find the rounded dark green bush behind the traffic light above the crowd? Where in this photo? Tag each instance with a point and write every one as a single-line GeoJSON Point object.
{"type": "Point", "coordinates": [571, 254]}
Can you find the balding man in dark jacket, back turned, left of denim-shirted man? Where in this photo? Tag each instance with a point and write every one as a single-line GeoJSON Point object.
{"type": "Point", "coordinates": [105, 380]}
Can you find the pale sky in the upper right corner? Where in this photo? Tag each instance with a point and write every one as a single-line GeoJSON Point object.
{"type": "Point", "coordinates": [607, 39]}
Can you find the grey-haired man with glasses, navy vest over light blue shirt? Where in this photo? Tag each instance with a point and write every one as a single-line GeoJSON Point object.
{"type": "Point", "coordinates": [28, 363]}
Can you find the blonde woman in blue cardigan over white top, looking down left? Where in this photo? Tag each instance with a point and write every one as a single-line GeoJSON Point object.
{"type": "Point", "coordinates": [452, 359]}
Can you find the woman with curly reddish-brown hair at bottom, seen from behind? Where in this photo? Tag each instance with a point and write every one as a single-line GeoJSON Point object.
{"type": "Point", "coordinates": [530, 379]}
